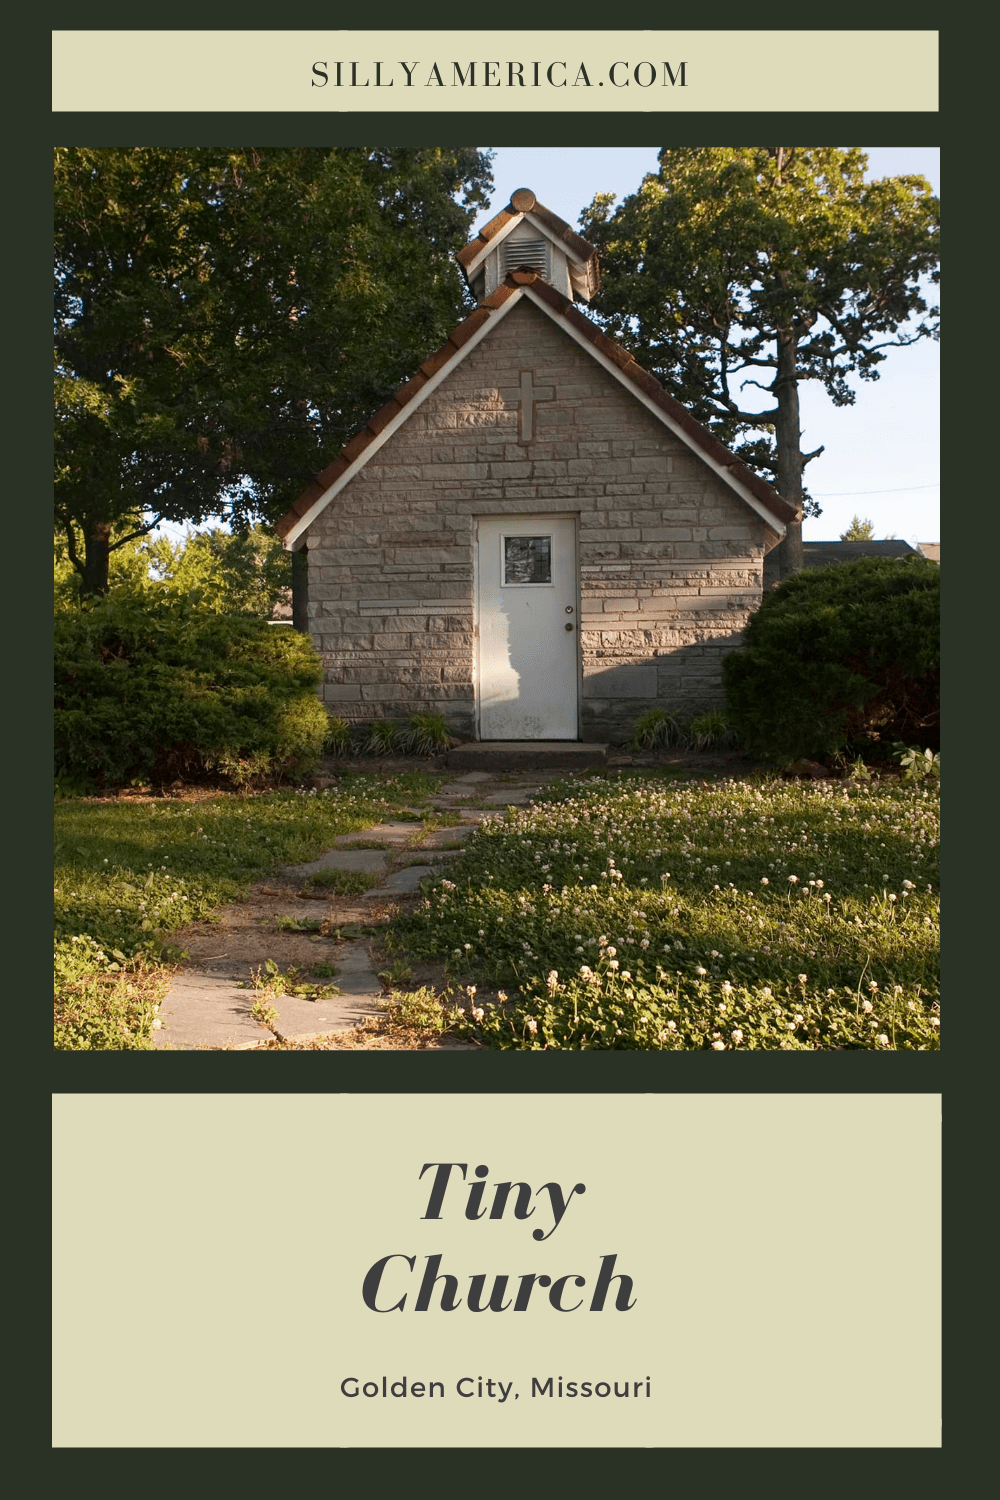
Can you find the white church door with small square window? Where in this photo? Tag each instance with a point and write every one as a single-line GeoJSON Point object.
{"type": "Point", "coordinates": [528, 629]}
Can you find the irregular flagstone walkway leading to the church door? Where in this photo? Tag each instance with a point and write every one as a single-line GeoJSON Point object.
{"type": "Point", "coordinates": [208, 1007]}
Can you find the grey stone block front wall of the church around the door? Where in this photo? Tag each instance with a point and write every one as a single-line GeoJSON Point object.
{"type": "Point", "coordinates": [671, 560]}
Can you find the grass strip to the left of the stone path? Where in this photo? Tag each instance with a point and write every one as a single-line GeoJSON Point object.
{"type": "Point", "coordinates": [128, 874]}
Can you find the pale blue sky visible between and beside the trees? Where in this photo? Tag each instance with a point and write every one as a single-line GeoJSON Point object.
{"type": "Point", "coordinates": [882, 455]}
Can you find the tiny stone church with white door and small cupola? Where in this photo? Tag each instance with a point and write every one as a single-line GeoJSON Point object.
{"type": "Point", "coordinates": [533, 539]}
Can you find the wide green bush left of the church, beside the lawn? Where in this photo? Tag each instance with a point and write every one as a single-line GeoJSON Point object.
{"type": "Point", "coordinates": [152, 688]}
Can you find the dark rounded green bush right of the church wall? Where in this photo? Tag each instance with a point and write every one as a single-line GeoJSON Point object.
{"type": "Point", "coordinates": [840, 658]}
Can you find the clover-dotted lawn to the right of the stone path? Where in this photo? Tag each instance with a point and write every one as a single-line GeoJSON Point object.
{"type": "Point", "coordinates": [638, 914]}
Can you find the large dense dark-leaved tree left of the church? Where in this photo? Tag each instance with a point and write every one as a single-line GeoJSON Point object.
{"type": "Point", "coordinates": [226, 320]}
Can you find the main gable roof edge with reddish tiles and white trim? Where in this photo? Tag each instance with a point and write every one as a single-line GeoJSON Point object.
{"type": "Point", "coordinates": [617, 361]}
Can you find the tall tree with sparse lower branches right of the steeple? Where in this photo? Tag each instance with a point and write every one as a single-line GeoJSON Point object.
{"type": "Point", "coordinates": [764, 266]}
